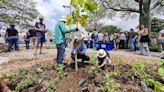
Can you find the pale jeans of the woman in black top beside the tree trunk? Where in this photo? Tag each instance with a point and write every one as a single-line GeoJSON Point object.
{"type": "Point", "coordinates": [144, 48]}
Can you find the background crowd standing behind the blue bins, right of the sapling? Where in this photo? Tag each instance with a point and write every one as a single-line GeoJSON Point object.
{"type": "Point", "coordinates": [122, 40]}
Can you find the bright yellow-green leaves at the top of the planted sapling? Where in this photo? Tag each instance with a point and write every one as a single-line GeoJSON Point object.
{"type": "Point", "coordinates": [81, 6]}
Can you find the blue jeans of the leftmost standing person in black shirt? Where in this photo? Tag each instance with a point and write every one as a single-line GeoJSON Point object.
{"type": "Point", "coordinates": [13, 40]}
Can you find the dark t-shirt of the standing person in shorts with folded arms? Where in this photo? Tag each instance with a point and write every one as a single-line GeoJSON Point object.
{"type": "Point", "coordinates": [40, 26]}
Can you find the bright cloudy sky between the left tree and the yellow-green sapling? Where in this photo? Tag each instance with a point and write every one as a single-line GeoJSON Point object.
{"type": "Point", "coordinates": [52, 10]}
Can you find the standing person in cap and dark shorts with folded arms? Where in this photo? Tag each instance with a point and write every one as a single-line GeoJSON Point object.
{"type": "Point", "coordinates": [40, 28]}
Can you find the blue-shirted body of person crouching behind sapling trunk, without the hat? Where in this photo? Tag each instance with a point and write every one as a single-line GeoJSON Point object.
{"type": "Point", "coordinates": [81, 51]}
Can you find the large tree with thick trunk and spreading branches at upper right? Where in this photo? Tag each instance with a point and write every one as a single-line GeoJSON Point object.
{"type": "Point", "coordinates": [145, 8]}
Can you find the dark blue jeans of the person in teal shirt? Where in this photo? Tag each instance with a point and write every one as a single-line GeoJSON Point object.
{"type": "Point", "coordinates": [60, 52]}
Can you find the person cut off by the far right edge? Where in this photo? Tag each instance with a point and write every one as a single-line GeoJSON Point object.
{"type": "Point", "coordinates": [161, 40]}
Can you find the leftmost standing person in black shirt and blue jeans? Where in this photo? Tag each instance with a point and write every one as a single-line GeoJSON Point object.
{"type": "Point", "coordinates": [12, 37]}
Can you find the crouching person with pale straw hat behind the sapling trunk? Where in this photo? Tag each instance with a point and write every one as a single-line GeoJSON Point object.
{"type": "Point", "coordinates": [80, 47]}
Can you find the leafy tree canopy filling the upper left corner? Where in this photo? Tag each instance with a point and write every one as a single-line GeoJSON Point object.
{"type": "Point", "coordinates": [19, 12]}
